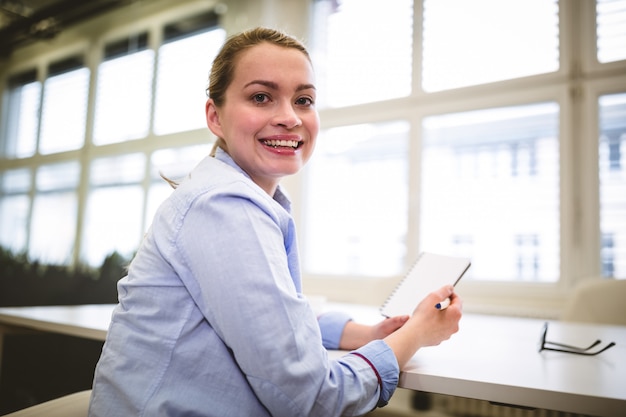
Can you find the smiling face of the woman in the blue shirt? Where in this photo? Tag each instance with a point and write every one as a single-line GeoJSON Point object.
{"type": "Point", "coordinates": [268, 119]}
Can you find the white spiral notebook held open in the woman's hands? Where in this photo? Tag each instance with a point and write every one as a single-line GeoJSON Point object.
{"type": "Point", "coordinates": [429, 273]}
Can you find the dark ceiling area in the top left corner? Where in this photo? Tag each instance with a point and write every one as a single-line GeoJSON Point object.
{"type": "Point", "coordinates": [26, 21]}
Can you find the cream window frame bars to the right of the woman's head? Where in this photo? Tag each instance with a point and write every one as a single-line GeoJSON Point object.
{"type": "Point", "coordinates": [579, 188]}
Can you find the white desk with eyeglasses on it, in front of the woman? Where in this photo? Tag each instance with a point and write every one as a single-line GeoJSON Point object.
{"type": "Point", "coordinates": [492, 358]}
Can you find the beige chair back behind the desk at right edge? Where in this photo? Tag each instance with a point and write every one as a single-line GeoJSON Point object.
{"type": "Point", "coordinates": [597, 301]}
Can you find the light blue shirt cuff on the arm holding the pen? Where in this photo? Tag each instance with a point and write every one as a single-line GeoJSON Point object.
{"type": "Point", "coordinates": [381, 358]}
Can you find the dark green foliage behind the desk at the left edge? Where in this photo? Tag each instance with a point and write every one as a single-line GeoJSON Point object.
{"type": "Point", "coordinates": [27, 283]}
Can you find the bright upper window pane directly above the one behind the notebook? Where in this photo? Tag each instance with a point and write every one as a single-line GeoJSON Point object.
{"type": "Point", "coordinates": [476, 42]}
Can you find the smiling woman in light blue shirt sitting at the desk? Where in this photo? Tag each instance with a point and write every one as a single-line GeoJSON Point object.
{"type": "Point", "coordinates": [211, 320]}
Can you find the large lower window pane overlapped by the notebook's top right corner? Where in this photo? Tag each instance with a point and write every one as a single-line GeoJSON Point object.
{"type": "Point", "coordinates": [490, 191]}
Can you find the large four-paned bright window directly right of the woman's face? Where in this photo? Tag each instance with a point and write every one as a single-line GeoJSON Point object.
{"type": "Point", "coordinates": [476, 170]}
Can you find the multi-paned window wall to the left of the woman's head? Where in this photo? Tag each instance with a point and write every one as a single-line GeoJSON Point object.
{"type": "Point", "coordinates": [41, 197]}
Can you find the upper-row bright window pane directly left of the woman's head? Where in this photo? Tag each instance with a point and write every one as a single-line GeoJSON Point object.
{"type": "Point", "coordinates": [182, 80]}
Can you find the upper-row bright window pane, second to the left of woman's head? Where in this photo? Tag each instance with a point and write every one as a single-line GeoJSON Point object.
{"type": "Point", "coordinates": [123, 98]}
